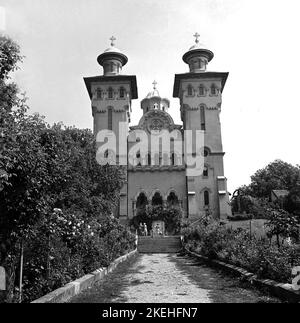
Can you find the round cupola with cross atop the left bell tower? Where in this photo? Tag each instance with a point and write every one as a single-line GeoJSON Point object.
{"type": "Point", "coordinates": [112, 60]}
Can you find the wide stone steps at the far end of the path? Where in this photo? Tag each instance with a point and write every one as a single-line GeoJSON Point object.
{"type": "Point", "coordinates": [165, 244]}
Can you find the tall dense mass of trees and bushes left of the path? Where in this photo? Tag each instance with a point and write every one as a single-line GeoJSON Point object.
{"type": "Point", "coordinates": [43, 168]}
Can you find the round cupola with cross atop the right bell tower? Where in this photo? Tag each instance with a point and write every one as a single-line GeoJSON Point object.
{"type": "Point", "coordinates": [198, 56]}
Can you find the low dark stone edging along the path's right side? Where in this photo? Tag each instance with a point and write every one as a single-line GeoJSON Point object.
{"type": "Point", "coordinates": [283, 291]}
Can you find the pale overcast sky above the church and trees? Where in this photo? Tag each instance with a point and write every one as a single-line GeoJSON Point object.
{"type": "Point", "coordinates": [256, 41]}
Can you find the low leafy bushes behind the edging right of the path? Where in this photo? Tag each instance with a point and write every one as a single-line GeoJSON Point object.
{"type": "Point", "coordinates": [237, 247]}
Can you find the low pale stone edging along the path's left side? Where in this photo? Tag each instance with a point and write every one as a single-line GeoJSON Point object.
{"type": "Point", "coordinates": [73, 288]}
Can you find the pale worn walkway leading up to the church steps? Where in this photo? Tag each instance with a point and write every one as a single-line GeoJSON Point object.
{"type": "Point", "coordinates": [164, 278]}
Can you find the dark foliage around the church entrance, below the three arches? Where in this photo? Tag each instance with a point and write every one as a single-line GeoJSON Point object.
{"type": "Point", "coordinates": [171, 215]}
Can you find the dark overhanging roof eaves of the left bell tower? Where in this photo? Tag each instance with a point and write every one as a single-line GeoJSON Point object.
{"type": "Point", "coordinates": [115, 78]}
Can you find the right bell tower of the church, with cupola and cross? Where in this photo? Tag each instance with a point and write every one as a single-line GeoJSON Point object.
{"type": "Point", "coordinates": [200, 95]}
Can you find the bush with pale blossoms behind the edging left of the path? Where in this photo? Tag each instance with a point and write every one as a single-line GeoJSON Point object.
{"type": "Point", "coordinates": [73, 249]}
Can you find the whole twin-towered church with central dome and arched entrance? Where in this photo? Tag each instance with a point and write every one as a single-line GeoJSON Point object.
{"type": "Point", "coordinates": [162, 178]}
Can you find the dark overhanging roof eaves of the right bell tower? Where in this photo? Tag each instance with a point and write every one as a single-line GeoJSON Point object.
{"type": "Point", "coordinates": [199, 76]}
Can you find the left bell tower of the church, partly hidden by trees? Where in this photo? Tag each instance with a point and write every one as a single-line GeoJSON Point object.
{"type": "Point", "coordinates": [111, 95]}
